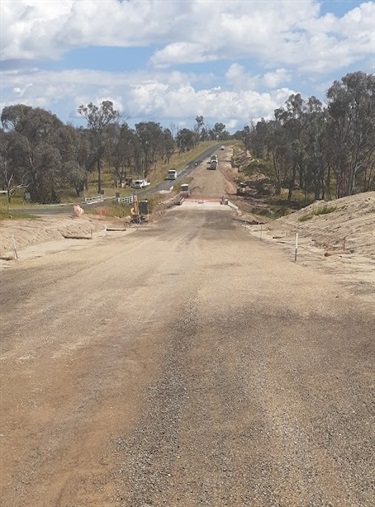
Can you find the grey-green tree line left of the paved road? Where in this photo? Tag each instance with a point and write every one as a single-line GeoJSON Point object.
{"type": "Point", "coordinates": [43, 156]}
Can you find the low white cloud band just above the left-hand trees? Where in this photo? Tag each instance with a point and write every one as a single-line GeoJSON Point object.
{"type": "Point", "coordinates": [164, 96]}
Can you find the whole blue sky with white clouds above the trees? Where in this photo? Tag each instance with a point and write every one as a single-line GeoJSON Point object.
{"type": "Point", "coordinates": [232, 61]}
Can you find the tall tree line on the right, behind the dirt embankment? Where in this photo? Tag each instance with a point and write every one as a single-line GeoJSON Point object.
{"type": "Point", "coordinates": [324, 150]}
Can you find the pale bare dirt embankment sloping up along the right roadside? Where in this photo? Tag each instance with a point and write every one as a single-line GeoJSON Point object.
{"type": "Point", "coordinates": [335, 236]}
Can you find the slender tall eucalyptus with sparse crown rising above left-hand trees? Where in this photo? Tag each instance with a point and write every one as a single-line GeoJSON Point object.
{"type": "Point", "coordinates": [98, 118]}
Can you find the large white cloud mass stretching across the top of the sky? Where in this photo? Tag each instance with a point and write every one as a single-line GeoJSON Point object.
{"type": "Point", "coordinates": [275, 32]}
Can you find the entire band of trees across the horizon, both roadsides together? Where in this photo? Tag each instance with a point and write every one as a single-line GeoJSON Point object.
{"type": "Point", "coordinates": [325, 150]}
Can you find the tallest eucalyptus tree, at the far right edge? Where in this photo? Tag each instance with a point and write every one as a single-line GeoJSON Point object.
{"type": "Point", "coordinates": [351, 128]}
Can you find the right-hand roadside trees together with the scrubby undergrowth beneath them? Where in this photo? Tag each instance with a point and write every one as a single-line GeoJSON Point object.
{"type": "Point", "coordinates": [309, 152]}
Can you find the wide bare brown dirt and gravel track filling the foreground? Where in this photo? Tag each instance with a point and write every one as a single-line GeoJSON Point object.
{"type": "Point", "coordinates": [184, 363]}
